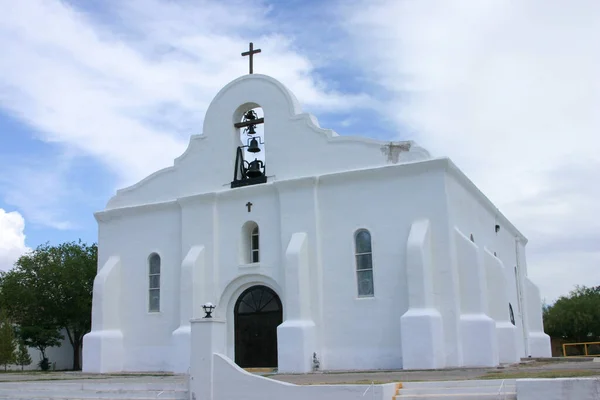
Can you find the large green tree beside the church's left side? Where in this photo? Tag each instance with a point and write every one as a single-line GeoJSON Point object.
{"type": "Point", "coordinates": [50, 290]}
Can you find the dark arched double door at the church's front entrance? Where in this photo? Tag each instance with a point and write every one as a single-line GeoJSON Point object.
{"type": "Point", "coordinates": [257, 313]}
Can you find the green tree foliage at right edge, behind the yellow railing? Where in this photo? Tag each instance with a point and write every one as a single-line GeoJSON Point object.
{"type": "Point", "coordinates": [575, 317]}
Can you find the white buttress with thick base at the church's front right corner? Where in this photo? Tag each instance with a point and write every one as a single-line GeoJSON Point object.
{"type": "Point", "coordinates": [421, 328]}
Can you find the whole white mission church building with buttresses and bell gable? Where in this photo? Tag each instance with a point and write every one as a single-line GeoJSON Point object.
{"type": "Point", "coordinates": [354, 255]}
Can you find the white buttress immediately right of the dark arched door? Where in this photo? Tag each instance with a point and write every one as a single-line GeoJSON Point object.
{"type": "Point", "coordinates": [296, 335]}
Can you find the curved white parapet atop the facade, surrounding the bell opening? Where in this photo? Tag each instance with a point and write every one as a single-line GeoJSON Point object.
{"type": "Point", "coordinates": [295, 146]}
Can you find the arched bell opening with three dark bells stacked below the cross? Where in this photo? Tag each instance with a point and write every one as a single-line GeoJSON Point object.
{"type": "Point", "coordinates": [250, 167]}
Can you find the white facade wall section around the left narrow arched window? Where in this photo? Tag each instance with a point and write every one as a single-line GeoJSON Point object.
{"type": "Point", "coordinates": [146, 335]}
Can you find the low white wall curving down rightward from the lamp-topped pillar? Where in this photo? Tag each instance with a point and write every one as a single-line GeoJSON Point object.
{"type": "Point", "coordinates": [232, 382]}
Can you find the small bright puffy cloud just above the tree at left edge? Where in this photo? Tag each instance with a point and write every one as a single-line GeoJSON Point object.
{"type": "Point", "coordinates": [12, 238]}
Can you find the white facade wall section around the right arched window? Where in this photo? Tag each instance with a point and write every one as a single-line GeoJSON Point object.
{"type": "Point", "coordinates": [365, 332]}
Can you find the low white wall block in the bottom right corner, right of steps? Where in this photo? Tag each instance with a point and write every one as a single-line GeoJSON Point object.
{"type": "Point", "coordinates": [558, 389]}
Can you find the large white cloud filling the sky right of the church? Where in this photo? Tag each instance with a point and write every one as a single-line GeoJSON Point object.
{"type": "Point", "coordinates": [511, 92]}
